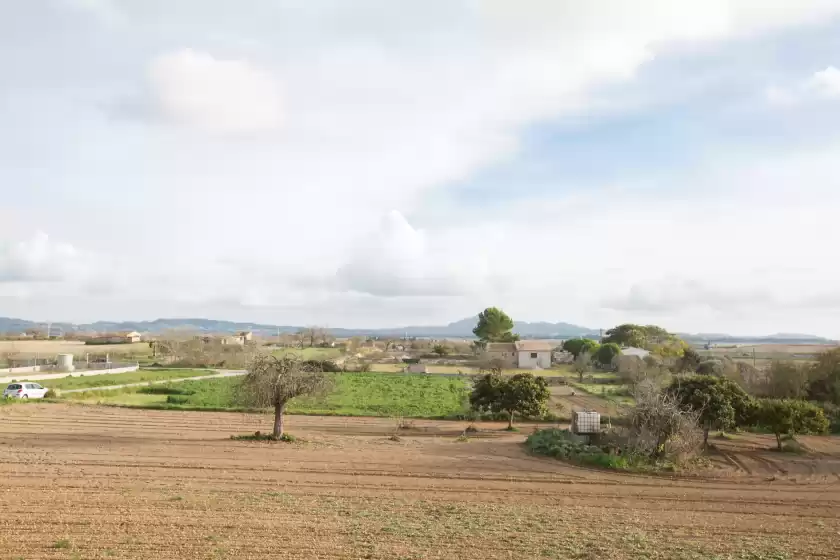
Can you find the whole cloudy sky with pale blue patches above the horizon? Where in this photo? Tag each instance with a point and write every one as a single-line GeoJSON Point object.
{"type": "Point", "coordinates": [382, 163]}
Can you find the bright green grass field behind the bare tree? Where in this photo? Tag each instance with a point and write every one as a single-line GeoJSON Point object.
{"type": "Point", "coordinates": [353, 394]}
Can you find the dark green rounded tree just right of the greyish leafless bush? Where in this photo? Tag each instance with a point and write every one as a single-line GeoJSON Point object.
{"type": "Point", "coordinates": [719, 402]}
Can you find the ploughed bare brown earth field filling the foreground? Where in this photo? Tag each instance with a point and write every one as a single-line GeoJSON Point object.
{"type": "Point", "coordinates": [99, 482]}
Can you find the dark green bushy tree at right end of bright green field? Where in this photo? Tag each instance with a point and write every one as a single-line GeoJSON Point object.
{"type": "Point", "coordinates": [521, 394]}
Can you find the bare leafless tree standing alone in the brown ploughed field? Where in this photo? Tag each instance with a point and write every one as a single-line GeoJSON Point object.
{"type": "Point", "coordinates": [273, 381]}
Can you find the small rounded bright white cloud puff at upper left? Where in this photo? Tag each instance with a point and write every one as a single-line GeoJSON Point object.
{"type": "Point", "coordinates": [214, 95]}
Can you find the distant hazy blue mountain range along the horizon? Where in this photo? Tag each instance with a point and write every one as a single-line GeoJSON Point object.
{"type": "Point", "coordinates": [460, 329]}
